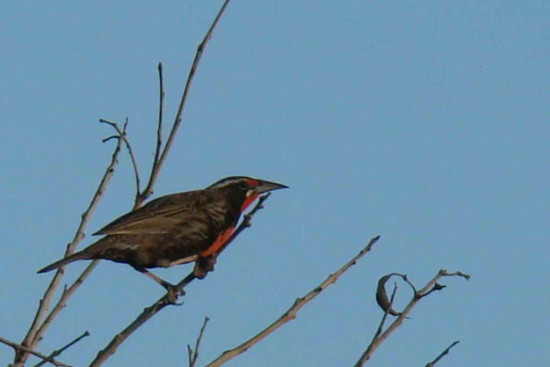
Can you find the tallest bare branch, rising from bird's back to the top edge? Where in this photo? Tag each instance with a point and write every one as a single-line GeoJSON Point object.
{"type": "Point", "coordinates": [177, 120]}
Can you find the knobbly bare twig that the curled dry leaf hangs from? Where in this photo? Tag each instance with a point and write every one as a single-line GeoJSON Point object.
{"type": "Point", "coordinates": [431, 286]}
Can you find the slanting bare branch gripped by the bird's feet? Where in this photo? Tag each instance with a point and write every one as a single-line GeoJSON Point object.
{"type": "Point", "coordinates": [156, 307]}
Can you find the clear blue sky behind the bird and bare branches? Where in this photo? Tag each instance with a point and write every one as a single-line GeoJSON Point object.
{"type": "Point", "coordinates": [424, 122]}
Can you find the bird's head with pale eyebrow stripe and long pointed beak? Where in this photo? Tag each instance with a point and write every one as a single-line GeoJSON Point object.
{"type": "Point", "coordinates": [247, 188]}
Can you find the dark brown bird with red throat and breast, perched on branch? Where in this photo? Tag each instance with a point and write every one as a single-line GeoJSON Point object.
{"type": "Point", "coordinates": [175, 229]}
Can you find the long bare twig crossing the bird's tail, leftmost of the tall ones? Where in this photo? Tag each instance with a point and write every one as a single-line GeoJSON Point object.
{"type": "Point", "coordinates": [38, 327]}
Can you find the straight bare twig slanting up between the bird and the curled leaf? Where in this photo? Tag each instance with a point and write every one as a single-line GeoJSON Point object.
{"type": "Point", "coordinates": [290, 314]}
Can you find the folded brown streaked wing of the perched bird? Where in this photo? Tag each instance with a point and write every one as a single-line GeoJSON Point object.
{"type": "Point", "coordinates": [161, 215]}
